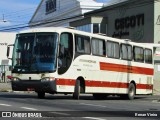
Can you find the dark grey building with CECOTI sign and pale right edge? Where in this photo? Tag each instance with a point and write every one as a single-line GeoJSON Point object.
{"type": "Point", "coordinates": [137, 20]}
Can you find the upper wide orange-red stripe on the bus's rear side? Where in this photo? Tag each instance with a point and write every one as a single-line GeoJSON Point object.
{"type": "Point", "coordinates": [126, 69]}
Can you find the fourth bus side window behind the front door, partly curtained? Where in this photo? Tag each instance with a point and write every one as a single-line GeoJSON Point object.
{"type": "Point", "coordinates": [126, 52]}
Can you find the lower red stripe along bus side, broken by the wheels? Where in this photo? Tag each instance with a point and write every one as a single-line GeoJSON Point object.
{"type": "Point", "coordinates": [89, 83]}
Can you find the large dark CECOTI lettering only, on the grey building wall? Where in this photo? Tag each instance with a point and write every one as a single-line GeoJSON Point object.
{"type": "Point", "coordinates": [129, 22]}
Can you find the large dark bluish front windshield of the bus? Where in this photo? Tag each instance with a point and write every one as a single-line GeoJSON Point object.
{"type": "Point", "coordinates": [35, 52]}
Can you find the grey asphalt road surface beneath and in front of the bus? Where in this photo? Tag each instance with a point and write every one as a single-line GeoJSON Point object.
{"type": "Point", "coordinates": [64, 107]}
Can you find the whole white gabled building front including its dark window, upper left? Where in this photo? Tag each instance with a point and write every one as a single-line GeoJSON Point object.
{"type": "Point", "coordinates": [61, 12]}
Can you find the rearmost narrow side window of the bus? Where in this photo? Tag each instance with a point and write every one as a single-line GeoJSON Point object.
{"type": "Point", "coordinates": [148, 56]}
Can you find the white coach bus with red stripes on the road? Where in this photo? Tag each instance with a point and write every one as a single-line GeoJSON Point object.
{"type": "Point", "coordinates": [61, 60]}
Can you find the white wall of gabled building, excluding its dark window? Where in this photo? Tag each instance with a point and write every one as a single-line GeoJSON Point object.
{"type": "Point", "coordinates": [64, 9]}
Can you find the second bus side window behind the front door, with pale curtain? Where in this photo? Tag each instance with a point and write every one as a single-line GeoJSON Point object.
{"type": "Point", "coordinates": [98, 47]}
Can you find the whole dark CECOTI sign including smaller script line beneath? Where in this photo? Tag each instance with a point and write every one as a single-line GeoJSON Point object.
{"type": "Point", "coordinates": [121, 24]}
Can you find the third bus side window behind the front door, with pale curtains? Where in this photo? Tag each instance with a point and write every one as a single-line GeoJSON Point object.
{"type": "Point", "coordinates": [112, 49]}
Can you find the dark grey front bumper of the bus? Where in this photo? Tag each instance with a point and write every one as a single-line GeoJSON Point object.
{"type": "Point", "coordinates": [34, 85]}
